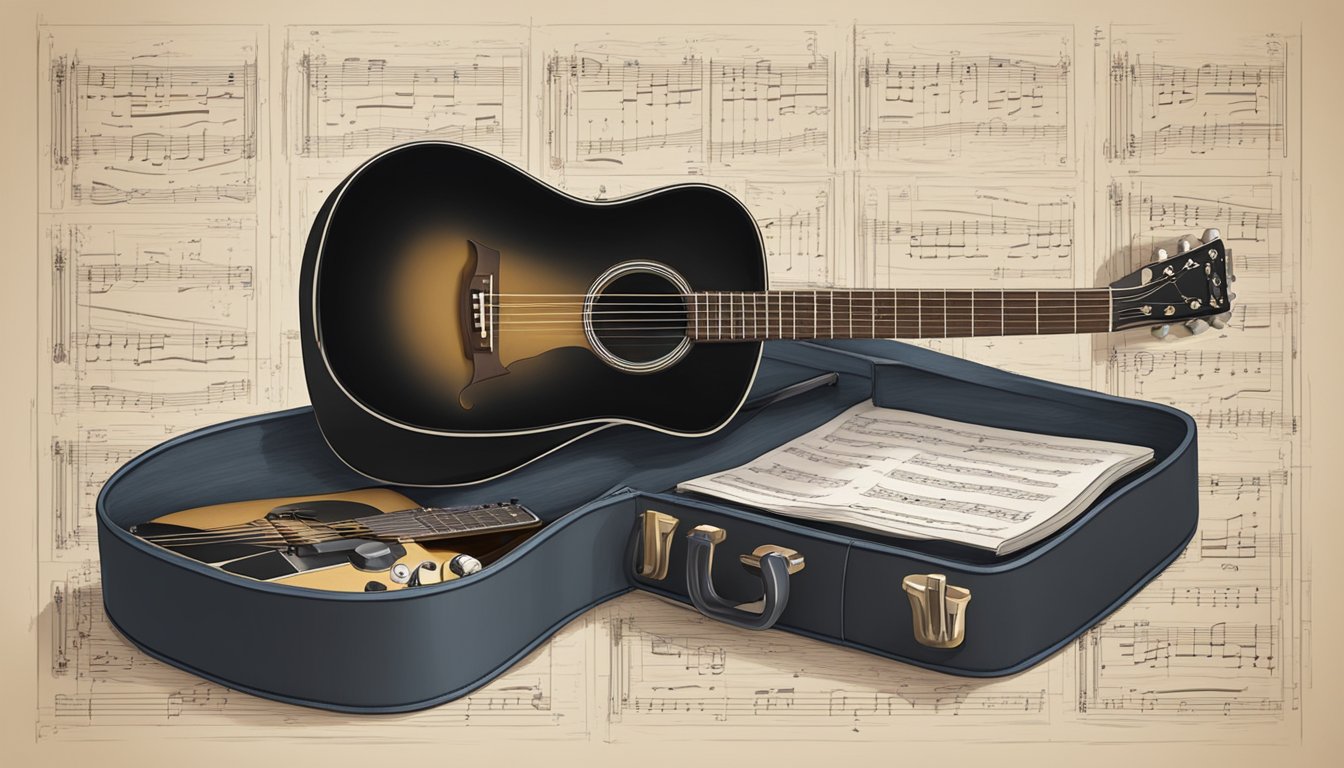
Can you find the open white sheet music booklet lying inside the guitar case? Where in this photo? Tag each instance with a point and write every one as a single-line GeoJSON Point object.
{"type": "Point", "coordinates": [919, 477]}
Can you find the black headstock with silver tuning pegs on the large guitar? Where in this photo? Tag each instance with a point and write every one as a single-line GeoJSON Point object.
{"type": "Point", "coordinates": [1190, 287]}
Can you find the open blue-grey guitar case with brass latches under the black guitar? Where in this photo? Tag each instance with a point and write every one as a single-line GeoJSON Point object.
{"type": "Point", "coordinates": [933, 605]}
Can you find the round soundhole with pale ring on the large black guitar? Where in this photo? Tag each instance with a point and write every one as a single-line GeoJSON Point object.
{"type": "Point", "coordinates": [638, 318]}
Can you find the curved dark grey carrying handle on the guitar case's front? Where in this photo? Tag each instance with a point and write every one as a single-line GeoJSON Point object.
{"type": "Point", "coordinates": [775, 563]}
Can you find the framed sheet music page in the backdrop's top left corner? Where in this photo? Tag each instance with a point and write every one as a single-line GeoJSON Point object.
{"type": "Point", "coordinates": [155, 122]}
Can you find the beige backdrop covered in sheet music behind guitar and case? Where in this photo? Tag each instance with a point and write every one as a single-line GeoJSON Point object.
{"type": "Point", "coordinates": [181, 167]}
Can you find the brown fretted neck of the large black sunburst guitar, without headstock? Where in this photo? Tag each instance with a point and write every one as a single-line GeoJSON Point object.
{"type": "Point", "coordinates": [927, 314]}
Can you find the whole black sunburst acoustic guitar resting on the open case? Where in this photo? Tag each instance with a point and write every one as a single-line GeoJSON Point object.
{"type": "Point", "coordinates": [463, 318]}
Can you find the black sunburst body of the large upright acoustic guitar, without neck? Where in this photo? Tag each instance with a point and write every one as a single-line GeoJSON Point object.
{"type": "Point", "coordinates": [398, 349]}
